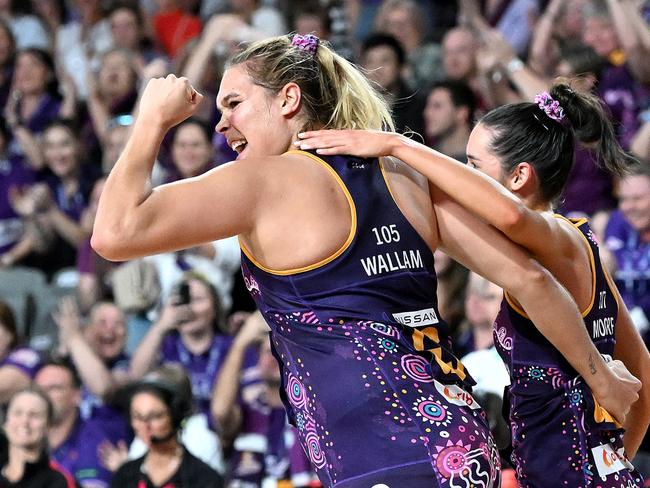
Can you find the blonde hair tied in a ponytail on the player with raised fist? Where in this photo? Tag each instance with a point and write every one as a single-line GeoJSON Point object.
{"type": "Point", "coordinates": [335, 94]}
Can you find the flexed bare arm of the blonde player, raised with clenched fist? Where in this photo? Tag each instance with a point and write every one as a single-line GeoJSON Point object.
{"type": "Point", "coordinates": [135, 220]}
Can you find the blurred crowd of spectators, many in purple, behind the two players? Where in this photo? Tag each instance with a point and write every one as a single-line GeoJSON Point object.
{"type": "Point", "coordinates": [113, 360]}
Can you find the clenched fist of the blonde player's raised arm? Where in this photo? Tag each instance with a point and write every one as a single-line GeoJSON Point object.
{"type": "Point", "coordinates": [168, 101]}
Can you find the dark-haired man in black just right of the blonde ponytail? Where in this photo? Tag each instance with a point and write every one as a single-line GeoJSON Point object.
{"type": "Point", "coordinates": [383, 59]}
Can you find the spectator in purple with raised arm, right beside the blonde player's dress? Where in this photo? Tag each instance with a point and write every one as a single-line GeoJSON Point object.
{"type": "Point", "coordinates": [247, 410]}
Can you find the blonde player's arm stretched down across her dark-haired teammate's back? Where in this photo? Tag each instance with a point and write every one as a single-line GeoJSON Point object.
{"type": "Point", "coordinates": [484, 250]}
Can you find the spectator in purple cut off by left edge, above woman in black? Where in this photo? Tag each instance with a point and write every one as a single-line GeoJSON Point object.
{"type": "Point", "coordinates": [18, 364]}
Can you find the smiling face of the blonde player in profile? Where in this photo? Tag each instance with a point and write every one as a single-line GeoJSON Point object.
{"type": "Point", "coordinates": [251, 117]}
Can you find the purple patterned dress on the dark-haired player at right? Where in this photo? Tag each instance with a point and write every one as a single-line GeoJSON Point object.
{"type": "Point", "coordinates": [560, 435]}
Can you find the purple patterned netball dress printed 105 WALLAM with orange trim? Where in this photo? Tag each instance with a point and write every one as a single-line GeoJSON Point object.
{"type": "Point", "coordinates": [369, 377]}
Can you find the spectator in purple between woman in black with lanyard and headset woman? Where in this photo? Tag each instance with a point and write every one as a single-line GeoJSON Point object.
{"type": "Point", "coordinates": [73, 442]}
